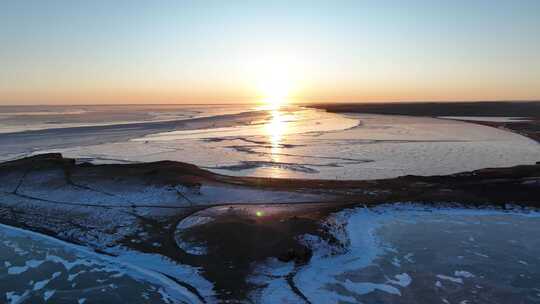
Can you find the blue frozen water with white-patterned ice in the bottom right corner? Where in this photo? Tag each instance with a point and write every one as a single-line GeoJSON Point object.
{"type": "Point", "coordinates": [415, 254]}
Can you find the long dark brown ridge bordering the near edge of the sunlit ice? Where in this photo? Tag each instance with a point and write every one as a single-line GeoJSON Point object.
{"type": "Point", "coordinates": [519, 184]}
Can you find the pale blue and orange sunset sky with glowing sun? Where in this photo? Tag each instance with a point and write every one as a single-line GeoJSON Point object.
{"type": "Point", "coordinates": [211, 52]}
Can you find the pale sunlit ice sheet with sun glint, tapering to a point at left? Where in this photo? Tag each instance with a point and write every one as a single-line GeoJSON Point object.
{"type": "Point", "coordinates": [319, 145]}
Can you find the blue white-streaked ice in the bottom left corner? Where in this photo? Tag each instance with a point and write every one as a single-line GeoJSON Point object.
{"type": "Point", "coordinates": [39, 269]}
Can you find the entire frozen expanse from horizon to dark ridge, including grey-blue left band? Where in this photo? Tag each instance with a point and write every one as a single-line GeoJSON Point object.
{"type": "Point", "coordinates": [292, 142]}
